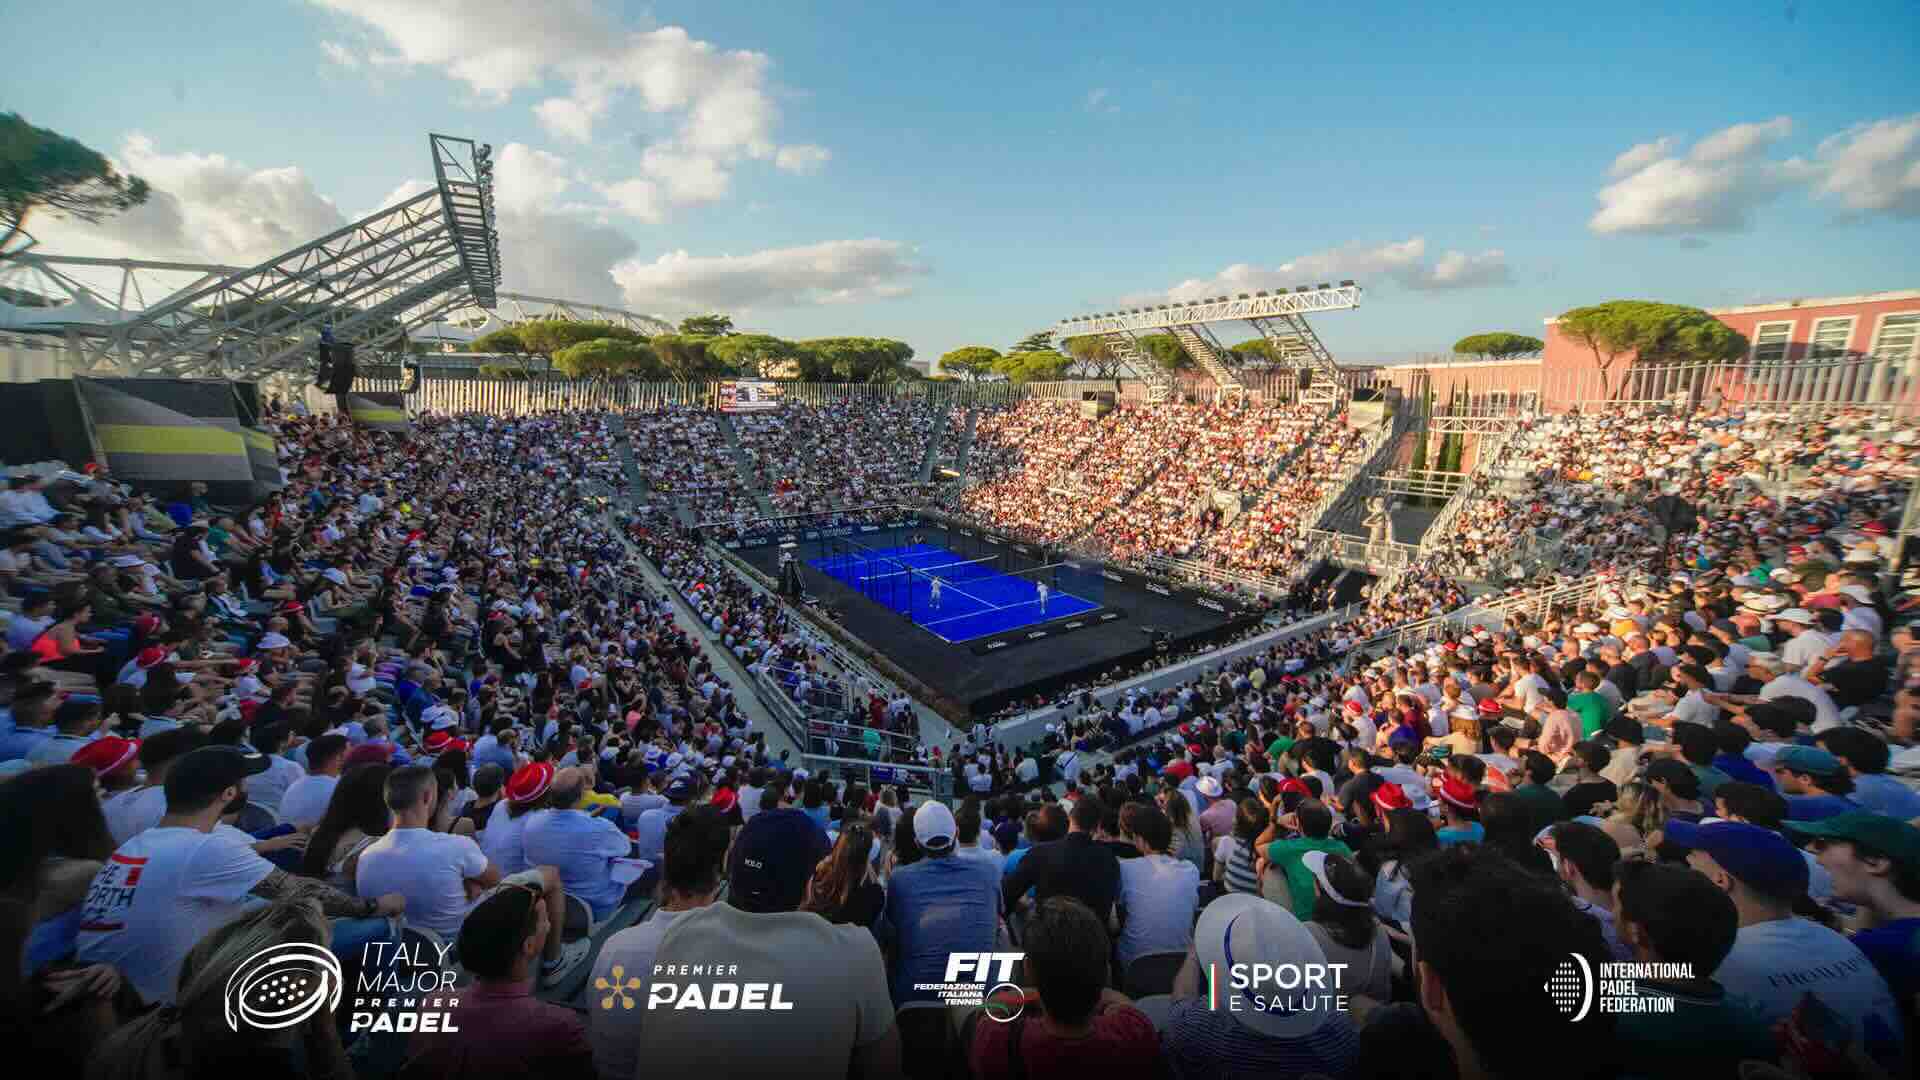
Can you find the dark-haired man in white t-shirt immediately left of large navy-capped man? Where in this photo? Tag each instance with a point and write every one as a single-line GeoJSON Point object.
{"type": "Point", "coordinates": [690, 879]}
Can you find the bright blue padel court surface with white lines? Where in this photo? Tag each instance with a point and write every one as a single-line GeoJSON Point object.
{"type": "Point", "coordinates": [974, 597]}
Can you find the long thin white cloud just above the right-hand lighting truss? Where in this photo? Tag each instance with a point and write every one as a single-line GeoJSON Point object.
{"type": "Point", "coordinates": [1403, 262]}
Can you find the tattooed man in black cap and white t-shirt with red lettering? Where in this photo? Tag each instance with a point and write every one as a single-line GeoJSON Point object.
{"type": "Point", "coordinates": [168, 887]}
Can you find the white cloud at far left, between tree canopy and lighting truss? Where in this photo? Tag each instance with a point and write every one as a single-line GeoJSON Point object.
{"type": "Point", "coordinates": [204, 209]}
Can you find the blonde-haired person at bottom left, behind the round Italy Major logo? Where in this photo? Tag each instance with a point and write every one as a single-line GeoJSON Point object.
{"type": "Point", "coordinates": [193, 1037]}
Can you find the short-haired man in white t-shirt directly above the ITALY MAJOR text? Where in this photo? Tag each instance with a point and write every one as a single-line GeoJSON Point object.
{"type": "Point", "coordinates": [439, 873]}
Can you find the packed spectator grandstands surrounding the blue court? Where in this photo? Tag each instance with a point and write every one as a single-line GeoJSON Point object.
{"type": "Point", "coordinates": [491, 700]}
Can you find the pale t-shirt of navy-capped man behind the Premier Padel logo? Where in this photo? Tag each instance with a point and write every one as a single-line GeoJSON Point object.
{"type": "Point", "coordinates": [838, 1006]}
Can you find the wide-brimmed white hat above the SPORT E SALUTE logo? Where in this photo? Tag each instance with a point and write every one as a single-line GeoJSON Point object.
{"type": "Point", "coordinates": [1243, 929]}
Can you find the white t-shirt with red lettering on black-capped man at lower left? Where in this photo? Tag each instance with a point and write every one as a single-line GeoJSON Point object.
{"type": "Point", "coordinates": [158, 896]}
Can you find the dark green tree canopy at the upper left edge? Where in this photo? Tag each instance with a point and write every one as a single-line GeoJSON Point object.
{"type": "Point", "coordinates": [43, 168]}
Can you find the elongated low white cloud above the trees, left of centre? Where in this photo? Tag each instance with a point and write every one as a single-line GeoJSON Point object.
{"type": "Point", "coordinates": [836, 272]}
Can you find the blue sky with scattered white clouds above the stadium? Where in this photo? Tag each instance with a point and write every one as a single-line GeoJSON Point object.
{"type": "Point", "coordinates": [967, 174]}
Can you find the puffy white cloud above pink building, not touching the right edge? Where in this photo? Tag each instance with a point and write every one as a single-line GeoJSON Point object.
{"type": "Point", "coordinates": [1710, 189]}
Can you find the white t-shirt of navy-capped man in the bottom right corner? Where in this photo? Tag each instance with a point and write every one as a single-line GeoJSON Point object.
{"type": "Point", "coordinates": [1775, 964]}
